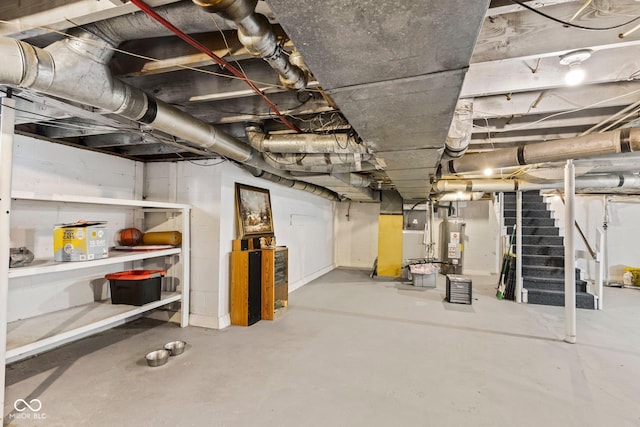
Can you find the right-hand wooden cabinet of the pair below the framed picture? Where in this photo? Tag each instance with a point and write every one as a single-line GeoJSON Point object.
{"type": "Point", "coordinates": [275, 282]}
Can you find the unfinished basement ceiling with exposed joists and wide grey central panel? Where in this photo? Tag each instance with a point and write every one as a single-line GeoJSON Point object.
{"type": "Point", "coordinates": [386, 73]}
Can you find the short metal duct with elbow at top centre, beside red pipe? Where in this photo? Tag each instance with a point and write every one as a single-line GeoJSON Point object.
{"type": "Point", "coordinates": [255, 33]}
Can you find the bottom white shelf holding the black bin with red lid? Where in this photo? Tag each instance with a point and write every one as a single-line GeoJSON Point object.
{"type": "Point", "coordinates": [37, 334]}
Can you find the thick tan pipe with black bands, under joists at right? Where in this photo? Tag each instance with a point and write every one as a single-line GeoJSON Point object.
{"type": "Point", "coordinates": [614, 142]}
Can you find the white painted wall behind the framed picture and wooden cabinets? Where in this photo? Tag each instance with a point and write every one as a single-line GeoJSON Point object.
{"type": "Point", "coordinates": [303, 222]}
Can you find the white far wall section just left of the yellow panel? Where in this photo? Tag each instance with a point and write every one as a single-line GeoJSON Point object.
{"type": "Point", "coordinates": [356, 242]}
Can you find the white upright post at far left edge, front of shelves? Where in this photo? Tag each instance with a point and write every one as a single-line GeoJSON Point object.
{"type": "Point", "coordinates": [7, 121]}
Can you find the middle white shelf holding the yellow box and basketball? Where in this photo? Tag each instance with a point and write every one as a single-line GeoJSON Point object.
{"type": "Point", "coordinates": [42, 266]}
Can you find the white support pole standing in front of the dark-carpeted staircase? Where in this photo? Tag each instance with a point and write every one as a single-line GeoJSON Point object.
{"type": "Point", "coordinates": [569, 253]}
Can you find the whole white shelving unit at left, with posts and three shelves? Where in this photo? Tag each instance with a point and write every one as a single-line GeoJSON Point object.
{"type": "Point", "coordinates": [26, 337]}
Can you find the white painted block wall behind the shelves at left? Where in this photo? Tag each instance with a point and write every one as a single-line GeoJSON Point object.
{"type": "Point", "coordinates": [44, 168]}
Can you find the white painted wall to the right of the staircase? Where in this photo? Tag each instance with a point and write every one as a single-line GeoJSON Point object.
{"type": "Point", "coordinates": [623, 232]}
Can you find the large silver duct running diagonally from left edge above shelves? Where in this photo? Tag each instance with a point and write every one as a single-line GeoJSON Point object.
{"type": "Point", "coordinates": [54, 71]}
